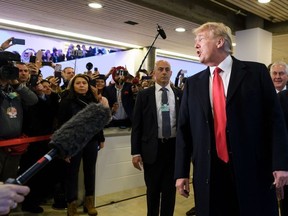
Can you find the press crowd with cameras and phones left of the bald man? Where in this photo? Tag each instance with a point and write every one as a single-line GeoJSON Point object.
{"type": "Point", "coordinates": [35, 106]}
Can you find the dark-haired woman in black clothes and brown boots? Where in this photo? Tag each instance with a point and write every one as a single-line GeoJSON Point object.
{"type": "Point", "coordinates": [78, 97]}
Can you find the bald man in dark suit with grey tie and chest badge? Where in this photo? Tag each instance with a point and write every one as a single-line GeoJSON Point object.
{"type": "Point", "coordinates": [151, 147]}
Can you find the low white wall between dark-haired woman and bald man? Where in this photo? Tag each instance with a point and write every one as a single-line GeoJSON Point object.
{"type": "Point", "coordinates": [114, 171]}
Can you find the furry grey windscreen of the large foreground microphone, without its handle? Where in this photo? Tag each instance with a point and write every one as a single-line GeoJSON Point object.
{"type": "Point", "coordinates": [79, 130]}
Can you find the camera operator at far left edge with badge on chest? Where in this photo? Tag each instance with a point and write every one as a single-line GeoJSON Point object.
{"type": "Point", "coordinates": [13, 96]}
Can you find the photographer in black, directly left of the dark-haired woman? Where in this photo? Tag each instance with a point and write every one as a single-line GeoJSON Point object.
{"type": "Point", "coordinates": [39, 120]}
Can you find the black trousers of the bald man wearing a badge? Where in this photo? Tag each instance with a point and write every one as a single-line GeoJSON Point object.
{"type": "Point", "coordinates": [159, 180]}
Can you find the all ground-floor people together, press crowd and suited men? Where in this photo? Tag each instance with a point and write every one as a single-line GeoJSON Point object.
{"type": "Point", "coordinates": [227, 120]}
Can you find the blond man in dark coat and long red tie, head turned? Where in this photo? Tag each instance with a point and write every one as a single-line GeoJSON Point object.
{"type": "Point", "coordinates": [236, 178]}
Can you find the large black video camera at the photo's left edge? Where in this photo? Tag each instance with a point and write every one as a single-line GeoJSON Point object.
{"type": "Point", "coordinates": [8, 71]}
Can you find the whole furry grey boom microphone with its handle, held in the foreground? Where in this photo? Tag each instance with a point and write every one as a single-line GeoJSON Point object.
{"type": "Point", "coordinates": [68, 140]}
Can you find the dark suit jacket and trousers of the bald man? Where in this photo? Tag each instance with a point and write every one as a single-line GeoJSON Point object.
{"type": "Point", "coordinates": [158, 157]}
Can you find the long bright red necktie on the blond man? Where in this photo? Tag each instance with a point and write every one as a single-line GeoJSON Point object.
{"type": "Point", "coordinates": [219, 107]}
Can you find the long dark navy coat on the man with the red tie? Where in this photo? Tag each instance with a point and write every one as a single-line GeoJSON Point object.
{"type": "Point", "coordinates": [257, 142]}
